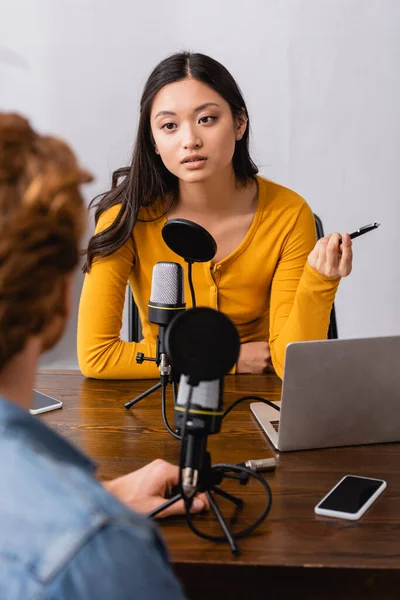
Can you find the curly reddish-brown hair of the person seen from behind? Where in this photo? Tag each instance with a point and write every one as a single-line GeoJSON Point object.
{"type": "Point", "coordinates": [42, 218]}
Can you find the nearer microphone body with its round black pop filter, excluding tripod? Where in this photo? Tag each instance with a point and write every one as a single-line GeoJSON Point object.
{"type": "Point", "coordinates": [204, 345]}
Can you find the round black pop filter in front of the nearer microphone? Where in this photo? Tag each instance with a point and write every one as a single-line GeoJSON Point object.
{"type": "Point", "coordinates": [202, 343]}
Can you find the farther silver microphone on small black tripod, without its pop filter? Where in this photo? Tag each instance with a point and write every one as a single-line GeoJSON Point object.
{"type": "Point", "coordinates": [166, 302]}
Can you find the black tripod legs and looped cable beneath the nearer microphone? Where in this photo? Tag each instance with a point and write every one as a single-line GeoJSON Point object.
{"type": "Point", "coordinates": [209, 479]}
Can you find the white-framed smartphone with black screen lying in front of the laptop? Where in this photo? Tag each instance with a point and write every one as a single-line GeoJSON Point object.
{"type": "Point", "coordinates": [351, 494]}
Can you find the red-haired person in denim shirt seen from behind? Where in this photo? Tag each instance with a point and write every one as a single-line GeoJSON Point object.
{"type": "Point", "coordinates": [63, 534]}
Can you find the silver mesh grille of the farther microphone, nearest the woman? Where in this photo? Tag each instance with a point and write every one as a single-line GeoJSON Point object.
{"type": "Point", "coordinates": [167, 283]}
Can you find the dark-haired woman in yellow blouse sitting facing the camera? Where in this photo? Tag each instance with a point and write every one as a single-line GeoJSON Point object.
{"type": "Point", "coordinates": [191, 160]}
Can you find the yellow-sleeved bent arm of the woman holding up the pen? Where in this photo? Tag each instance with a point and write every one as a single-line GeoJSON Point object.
{"type": "Point", "coordinates": [301, 297]}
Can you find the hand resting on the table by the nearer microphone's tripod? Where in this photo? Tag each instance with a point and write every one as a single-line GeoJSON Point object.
{"type": "Point", "coordinates": [149, 487]}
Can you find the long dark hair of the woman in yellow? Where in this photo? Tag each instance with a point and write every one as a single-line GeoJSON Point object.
{"type": "Point", "coordinates": [147, 178]}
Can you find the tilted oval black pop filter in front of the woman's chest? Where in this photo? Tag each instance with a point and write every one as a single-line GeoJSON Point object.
{"type": "Point", "coordinates": [189, 240]}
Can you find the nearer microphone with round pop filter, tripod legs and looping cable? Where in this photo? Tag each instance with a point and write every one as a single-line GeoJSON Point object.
{"type": "Point", "coordinates": [203, 344]}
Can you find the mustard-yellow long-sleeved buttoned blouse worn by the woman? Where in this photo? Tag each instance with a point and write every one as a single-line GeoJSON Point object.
{"type": "Point", "coordinates": [266, 287]}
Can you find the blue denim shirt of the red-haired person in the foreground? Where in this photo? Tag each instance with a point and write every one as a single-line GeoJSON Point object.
{"type": "Point", "coordinates": [62, 535]}
